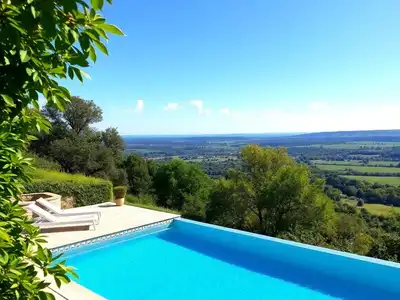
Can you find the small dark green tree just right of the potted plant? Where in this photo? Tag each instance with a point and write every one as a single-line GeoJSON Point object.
{"type": "Point", "coordinates": [138, 176]}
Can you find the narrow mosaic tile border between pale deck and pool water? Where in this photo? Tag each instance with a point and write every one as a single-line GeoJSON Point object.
{"type": "Point", "coordinates": [105, 237]}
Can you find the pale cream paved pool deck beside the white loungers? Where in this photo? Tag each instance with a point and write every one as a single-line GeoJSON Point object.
{"type": "Point", "coordinates": [113, 219]}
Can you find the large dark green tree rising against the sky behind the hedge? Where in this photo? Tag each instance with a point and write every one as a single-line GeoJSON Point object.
{"type": "Point", "coordinates": [78, 148]}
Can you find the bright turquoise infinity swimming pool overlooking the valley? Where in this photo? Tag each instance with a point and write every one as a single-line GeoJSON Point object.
{"type": "Point", "coordinates": [191, 260]}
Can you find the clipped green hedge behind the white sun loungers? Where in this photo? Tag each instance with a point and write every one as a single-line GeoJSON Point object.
{"type": "Point", "coordinates": [84, 190]}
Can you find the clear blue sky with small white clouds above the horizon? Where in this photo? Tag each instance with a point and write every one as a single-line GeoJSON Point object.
{"type": "Point", "coordinates": [249, 66]}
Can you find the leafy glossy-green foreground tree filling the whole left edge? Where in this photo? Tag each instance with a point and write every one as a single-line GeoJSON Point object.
{"type": "Point", "coordinates": [41, 42]}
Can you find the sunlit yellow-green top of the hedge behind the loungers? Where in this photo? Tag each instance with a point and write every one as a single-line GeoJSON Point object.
{"type": "Point", "coordinates": [40, 174]}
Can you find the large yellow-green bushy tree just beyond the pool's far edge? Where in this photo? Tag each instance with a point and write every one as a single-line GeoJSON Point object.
{"type": "Point", "coordinates": [272, 196]}
